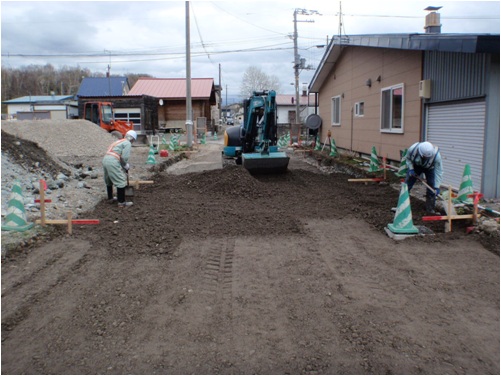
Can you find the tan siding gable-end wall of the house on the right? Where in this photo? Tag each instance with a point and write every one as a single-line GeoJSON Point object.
{"type": "Point", "coordinates": [351, 96]}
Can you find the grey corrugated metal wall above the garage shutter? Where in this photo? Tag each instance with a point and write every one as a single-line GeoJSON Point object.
{"type": "Point", "coordinates": [455, 76]}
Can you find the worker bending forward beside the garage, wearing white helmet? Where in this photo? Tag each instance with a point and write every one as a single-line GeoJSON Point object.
{"type": "Point", "coordinates": [424, 158]}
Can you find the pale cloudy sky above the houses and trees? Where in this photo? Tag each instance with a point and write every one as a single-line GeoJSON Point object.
{"type": "Point", "coordinates": [149, 36]}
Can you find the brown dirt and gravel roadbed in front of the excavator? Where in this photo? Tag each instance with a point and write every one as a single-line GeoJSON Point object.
{"type": "Point", "coordinates": [222, 272]}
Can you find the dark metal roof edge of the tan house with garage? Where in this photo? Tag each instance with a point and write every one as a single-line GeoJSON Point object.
{"type": "Point", "coordinates": [462, 43]}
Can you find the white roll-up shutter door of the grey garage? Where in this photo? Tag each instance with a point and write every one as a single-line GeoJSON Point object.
{"type": "Point", "coordinates": [458, 130]}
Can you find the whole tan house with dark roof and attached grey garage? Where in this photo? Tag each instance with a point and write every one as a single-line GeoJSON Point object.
{"type": "Point", "coordinates": [391, 90]}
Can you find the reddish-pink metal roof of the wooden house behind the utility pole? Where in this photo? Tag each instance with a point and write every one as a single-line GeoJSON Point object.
{"type": "Point", "coordinates": [173, 88]}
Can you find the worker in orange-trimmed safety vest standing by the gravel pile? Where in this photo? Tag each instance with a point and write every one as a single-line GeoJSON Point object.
{"type": "Point", "coordinates": [116, 166]}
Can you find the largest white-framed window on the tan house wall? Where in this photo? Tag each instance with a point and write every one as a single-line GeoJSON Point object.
{"type": "Point", "coordinates": [392, 109]}
